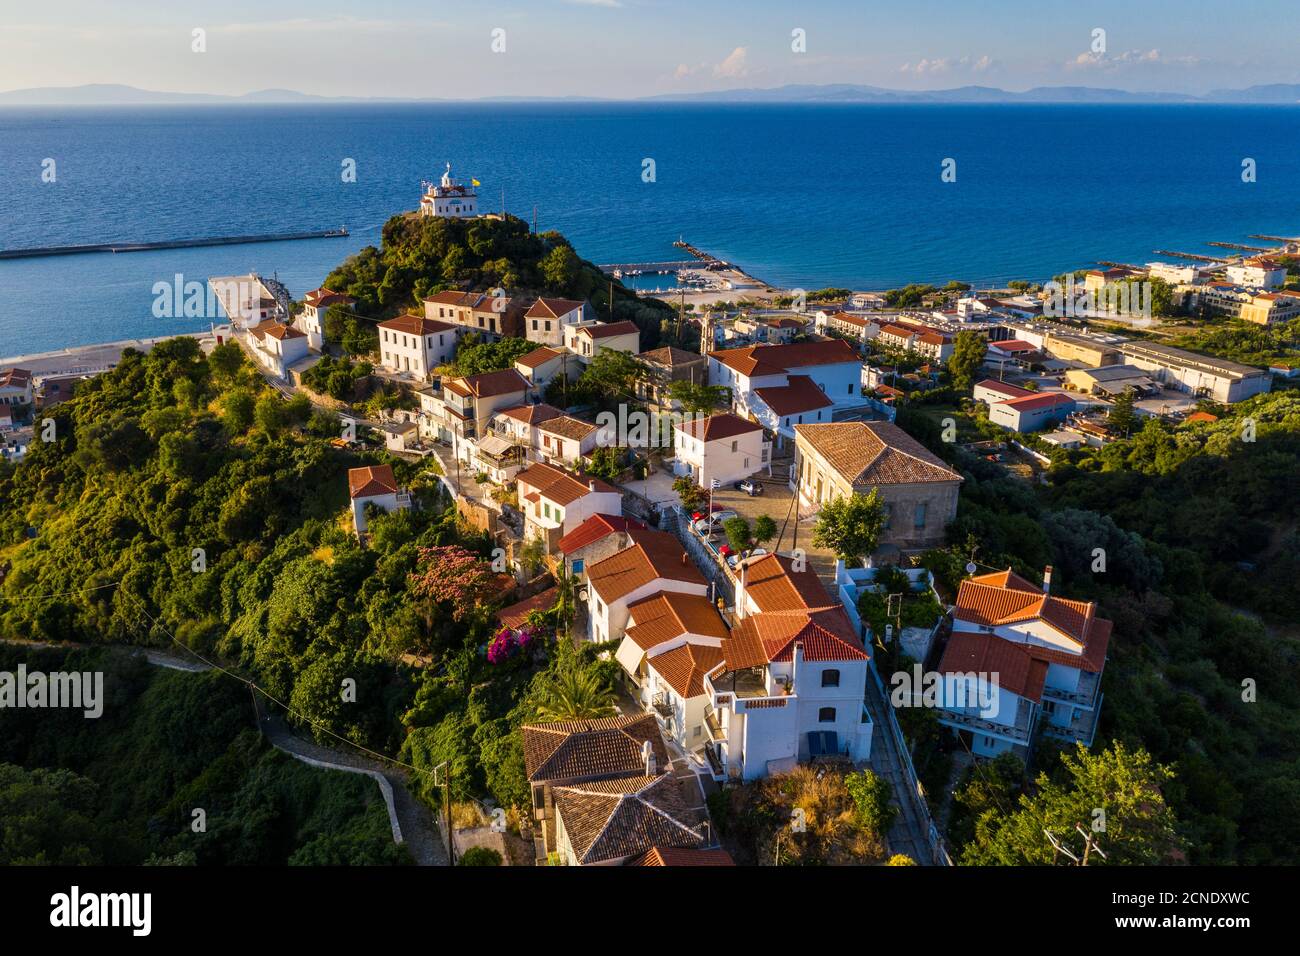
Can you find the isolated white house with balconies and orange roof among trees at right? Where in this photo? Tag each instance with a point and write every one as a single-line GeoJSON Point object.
{"type": "Point", "coordinates": [1021, 657]}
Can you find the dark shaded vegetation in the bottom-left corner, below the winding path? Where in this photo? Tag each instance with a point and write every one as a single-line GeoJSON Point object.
{"type": "Point", "coordinates": [124, 789]}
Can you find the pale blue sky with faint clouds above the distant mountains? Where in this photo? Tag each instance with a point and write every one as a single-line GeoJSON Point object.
{"type": "Point", "coordinates": [644, 47]}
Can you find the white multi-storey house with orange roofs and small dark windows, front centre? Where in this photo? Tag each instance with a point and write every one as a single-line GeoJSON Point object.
{"type": "Point", "coordinates": [792, 684]}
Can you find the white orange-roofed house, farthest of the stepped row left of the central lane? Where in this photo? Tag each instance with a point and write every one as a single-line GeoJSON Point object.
{"type": "Point", "coordinates": [653, 564]}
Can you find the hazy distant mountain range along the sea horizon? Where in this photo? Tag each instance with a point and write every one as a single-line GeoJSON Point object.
{"type": "Point", "coordinates": [110, 94]}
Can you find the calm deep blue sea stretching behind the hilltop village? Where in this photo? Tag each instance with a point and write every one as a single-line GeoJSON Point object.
{"type": "Point", "coordinates": [800, 196]}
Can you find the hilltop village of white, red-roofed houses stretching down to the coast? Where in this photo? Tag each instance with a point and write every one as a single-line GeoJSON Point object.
{"type": "Point", "coordinates": [748, 543]}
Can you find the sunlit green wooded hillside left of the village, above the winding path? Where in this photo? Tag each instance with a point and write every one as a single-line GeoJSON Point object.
{"type": "Point", "coordinates": [174, 452]}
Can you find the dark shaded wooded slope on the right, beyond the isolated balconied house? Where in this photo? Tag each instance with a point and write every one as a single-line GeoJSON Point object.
{"type": "Point", "coordinates": [1201, 559]}
